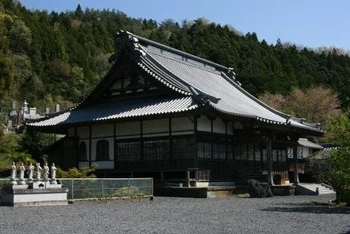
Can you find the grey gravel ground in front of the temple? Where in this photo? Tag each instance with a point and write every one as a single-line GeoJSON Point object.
{"type": "Point", "coordinates": [294, 214]}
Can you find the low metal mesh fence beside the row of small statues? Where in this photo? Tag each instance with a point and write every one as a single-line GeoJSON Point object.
{"type": "Point", "coordinates": [89, 188]}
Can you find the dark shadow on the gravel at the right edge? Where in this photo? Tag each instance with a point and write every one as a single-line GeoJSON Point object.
{"type": "Point", "coordinates": [309, 208]}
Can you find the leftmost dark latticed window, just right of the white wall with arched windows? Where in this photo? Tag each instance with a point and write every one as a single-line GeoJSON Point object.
{"type": "Point", "coordinates": [128, 151]}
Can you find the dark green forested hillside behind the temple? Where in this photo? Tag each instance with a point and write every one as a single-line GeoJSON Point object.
{"type": "Point", "coordinates": [50, 57]}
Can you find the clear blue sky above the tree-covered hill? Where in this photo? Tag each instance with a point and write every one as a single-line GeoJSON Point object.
{"type": "Point", "coordinates": [311, 23]}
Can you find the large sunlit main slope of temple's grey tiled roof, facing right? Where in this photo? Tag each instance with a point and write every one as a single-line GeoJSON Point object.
{"type": "Point", "coordinates": [179, 73]}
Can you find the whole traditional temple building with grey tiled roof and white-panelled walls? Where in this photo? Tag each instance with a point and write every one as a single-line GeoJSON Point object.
{"type": "Point", "coordinates": [167, 114]}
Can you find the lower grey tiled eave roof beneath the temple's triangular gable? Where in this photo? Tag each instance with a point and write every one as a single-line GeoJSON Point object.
{"type": "Point", "coordinates": [120, 109]}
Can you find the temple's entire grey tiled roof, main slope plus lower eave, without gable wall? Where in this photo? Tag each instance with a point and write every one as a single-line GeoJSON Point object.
{"type": "Point", "coordinates": [198, 80]}
